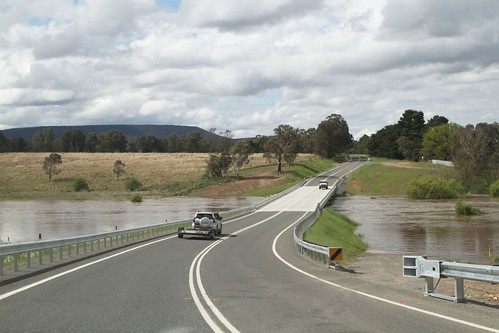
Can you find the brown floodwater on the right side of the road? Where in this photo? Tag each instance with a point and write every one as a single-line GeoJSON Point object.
{"type": "Point", "coordinates": [432, 228]}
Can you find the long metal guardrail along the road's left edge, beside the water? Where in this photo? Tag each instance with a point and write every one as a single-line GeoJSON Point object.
{"type": "Point", "coordinates": [70, 248]}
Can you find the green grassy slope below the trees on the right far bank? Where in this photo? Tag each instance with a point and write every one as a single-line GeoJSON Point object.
{"type": "Point", "coordinates": [391, 178]}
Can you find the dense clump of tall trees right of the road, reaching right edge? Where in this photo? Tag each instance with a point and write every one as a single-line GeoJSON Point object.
{"type": "Point", "coordinates": [473, 149]}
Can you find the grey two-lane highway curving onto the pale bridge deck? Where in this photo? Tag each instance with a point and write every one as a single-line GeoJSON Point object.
{"type": "Point", "coordinates": [249, 280]}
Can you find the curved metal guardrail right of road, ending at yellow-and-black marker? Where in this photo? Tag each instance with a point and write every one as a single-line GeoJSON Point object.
{"type": "Point", "coordinates": [318, 252]}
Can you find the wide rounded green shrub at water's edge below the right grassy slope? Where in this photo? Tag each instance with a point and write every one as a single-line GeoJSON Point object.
{"type": "Point", "coordinates": [430, 187]}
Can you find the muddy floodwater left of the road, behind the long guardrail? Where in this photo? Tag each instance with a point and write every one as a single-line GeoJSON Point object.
{"type": "Point", "coordinates": [24, 221]}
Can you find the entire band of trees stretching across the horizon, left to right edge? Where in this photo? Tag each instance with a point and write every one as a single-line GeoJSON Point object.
{"type": "Point", "coordinates": [474, 149]}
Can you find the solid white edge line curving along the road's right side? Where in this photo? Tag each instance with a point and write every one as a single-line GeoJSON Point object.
{"type": "Point", "coordinates": [372, 296]}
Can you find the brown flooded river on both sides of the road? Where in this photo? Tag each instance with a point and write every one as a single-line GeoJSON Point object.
{"type": "Point", "coordinates": [392, 225]}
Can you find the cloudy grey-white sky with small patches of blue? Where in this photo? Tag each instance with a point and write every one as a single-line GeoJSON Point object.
{"type": "Point", "coordinates": [247, 66]}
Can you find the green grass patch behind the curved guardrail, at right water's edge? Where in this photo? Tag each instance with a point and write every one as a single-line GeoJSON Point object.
{"type": "Point", "coordinates": [336, 230]}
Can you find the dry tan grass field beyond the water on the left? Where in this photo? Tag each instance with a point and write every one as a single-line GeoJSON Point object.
{"type": "Point", "coordinates": [22, 175]}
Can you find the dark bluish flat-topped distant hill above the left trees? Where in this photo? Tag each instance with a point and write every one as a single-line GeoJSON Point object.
{"type": "Point", "coordinates": [130, 131]}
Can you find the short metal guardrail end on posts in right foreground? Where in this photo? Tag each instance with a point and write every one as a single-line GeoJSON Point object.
{"type": "Point", "coordinates": [420, 267]}
